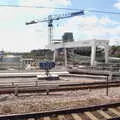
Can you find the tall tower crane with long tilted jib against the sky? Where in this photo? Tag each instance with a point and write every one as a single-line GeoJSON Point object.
{"type": "Point", "coordinates": [50, 20]}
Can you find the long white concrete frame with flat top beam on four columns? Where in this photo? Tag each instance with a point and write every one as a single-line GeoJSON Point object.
{"type": "Point", "coordinates": [86, 43]}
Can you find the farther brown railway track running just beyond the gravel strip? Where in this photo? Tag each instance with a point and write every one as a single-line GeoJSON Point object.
{"type": "Point", "coordinates": [56, 88]}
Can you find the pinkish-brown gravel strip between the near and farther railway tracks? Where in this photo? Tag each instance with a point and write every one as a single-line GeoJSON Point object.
{"type": "Point", "coordinates": [37, 102]}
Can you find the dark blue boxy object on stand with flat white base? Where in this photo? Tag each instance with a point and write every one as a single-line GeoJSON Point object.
{"type": "Point", "coordinates": [47, 75]}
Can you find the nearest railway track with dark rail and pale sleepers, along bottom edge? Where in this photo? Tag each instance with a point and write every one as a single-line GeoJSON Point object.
{"type": "Point", "coordinates": [99, 112]}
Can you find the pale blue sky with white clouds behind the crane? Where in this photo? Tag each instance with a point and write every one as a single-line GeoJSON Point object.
{"type": "Point", "coordinates": [15, 36]}
